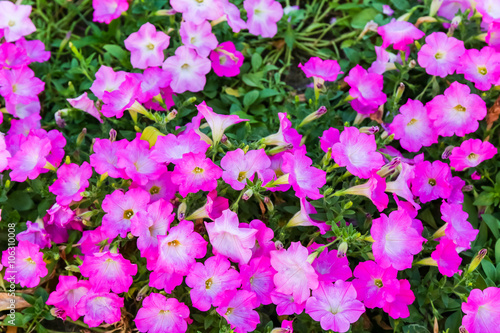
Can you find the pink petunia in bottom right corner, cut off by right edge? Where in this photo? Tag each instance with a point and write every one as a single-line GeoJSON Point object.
{"type": "Point", "coordinates": [482, 310]}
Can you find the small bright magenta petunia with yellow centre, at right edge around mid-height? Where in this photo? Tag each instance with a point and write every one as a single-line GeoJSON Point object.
{"type": "Point", "coordinates": [471, 153]}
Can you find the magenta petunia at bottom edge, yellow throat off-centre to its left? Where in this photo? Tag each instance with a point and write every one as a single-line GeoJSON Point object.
{"type": "Point", "coordinates": [238, 309]}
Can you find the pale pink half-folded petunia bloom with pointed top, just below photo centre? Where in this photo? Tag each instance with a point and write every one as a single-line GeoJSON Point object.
{"type": "Point", "coordinates": [228, 239]}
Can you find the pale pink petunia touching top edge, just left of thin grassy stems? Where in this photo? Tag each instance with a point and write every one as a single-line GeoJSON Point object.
{"type": "Point", "coordinates": [263, 16]}
